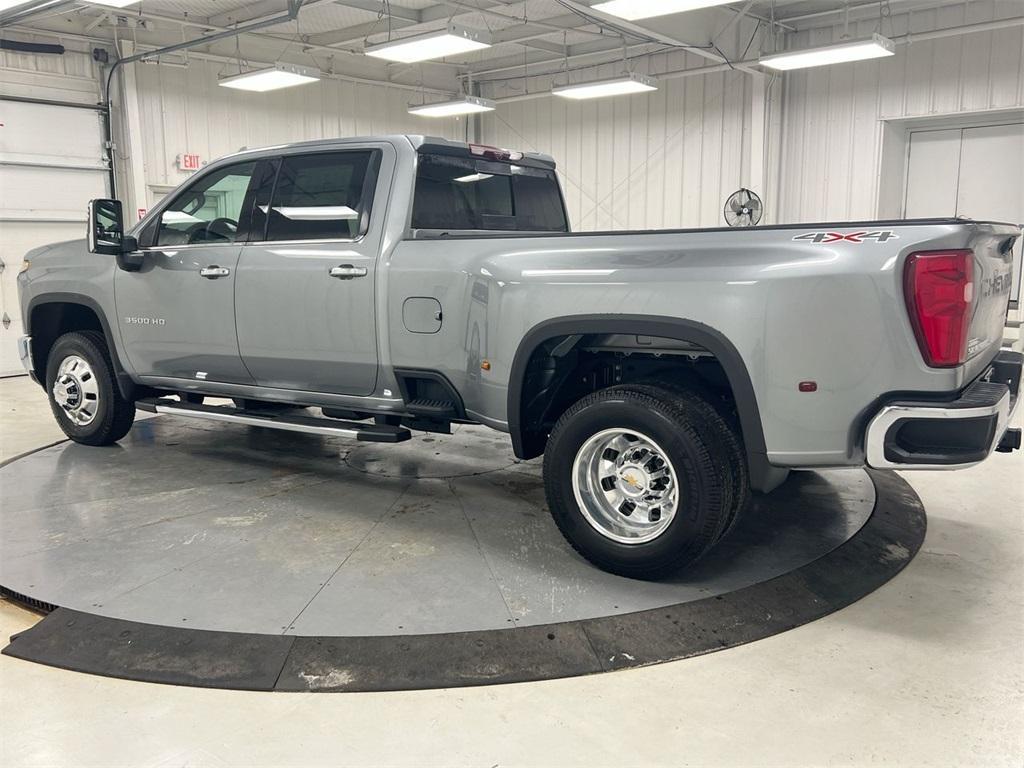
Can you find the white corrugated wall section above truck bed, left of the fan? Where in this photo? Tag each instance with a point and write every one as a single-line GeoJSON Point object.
{"type": "Point", "coordinates": [666, 159]}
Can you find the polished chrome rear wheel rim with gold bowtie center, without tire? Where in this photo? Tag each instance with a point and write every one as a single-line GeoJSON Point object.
{"type": "Point", "coordinates": [625, 486]}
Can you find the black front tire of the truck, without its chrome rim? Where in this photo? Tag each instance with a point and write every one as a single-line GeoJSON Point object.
{"type": "Point", "coordinates": [114, 415]}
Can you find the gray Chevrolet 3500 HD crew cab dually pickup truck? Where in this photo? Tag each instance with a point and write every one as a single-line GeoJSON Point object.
{"type": "Point", "coordinates": [407, 283]}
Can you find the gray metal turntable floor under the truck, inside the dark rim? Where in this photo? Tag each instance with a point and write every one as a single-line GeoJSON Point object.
{"type": "Point", "coordinates": [247, 530]}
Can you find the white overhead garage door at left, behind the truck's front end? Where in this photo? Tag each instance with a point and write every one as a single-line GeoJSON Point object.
{"type": "Point", "coordinates": [53, 162]}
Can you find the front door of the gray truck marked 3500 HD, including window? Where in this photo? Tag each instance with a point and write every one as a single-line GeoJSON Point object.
{"type": "Point", "coordinates": [177, 313]}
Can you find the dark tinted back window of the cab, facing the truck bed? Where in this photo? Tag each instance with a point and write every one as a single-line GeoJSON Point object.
{"type": "Point", "coordinates": [470, 194]}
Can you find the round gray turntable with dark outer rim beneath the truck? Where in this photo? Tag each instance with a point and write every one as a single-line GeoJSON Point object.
{"type": "Point", "coordinates": [320, 556]}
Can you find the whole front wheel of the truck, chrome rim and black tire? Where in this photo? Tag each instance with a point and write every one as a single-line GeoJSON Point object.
{"type": "Point", "coordinates": [83, 393]}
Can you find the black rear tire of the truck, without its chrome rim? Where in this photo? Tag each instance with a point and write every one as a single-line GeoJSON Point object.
{"type": "Point", "coordinates": [695, 448]}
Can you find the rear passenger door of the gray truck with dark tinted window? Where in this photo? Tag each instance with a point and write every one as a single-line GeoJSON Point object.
{"type": "Point", "coordinates": [305, 297]}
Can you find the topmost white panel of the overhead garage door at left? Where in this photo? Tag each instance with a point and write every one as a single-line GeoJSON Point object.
{"type": "Point", "coordinates": [46, 134]}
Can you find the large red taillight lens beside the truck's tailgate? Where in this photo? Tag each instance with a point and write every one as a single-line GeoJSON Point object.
{"type": "Point", "coordinates": [940, 288]}
